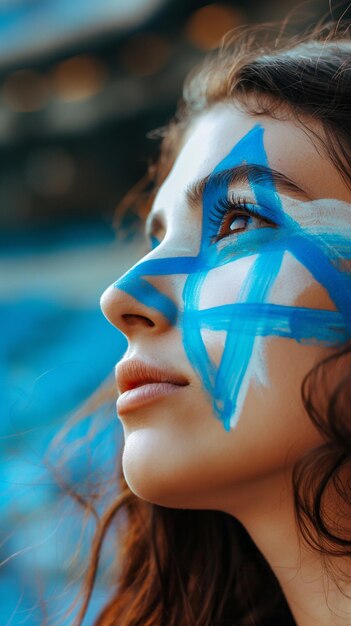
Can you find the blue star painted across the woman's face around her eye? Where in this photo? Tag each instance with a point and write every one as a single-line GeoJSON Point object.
{"type": "Point", "coordinates": [316, 246]}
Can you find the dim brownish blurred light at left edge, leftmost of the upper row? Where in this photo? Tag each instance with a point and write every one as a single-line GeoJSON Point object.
{"type": "Point", "coordinates": [26, 91]}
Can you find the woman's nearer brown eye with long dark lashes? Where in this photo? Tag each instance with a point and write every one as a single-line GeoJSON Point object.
{"type": "Point", "coordinates": [232, 216]}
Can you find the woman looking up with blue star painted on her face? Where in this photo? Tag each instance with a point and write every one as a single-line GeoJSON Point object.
{"type": "Point", "coordinates": [234, 393]}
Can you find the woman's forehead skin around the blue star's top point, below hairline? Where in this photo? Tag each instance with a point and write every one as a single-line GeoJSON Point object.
{"type": "Point", "coordinates": [289, 147]}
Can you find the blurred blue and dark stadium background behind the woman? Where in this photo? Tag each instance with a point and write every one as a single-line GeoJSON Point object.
{"type": "Point", "coordinates": [82, 83]}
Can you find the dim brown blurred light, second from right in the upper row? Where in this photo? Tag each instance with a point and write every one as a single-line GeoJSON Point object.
{"type": "Point", "coordinates": [144, 54]}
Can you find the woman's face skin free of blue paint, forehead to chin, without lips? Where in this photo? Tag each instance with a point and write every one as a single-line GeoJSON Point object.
{"type": "Point", "coordinates": [176, 452]}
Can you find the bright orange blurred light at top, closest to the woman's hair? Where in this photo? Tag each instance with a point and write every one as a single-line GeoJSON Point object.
{"type": "Point", "coordinates": [206, 26]}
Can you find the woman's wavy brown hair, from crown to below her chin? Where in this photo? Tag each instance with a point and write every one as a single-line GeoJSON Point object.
{"type": "Point", "coordinates": [200, 567]}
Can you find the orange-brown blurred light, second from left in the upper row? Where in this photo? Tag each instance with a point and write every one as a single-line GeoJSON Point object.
{"type": "Point", "coordinates": [79, 78]}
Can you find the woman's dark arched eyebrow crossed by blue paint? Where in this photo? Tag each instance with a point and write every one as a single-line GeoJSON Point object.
{"type": "Point", "coordinates": [239, 175]}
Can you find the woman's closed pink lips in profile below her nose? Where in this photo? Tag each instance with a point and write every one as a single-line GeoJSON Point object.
{"type": "Point", "coordinates": [141, 383]}
